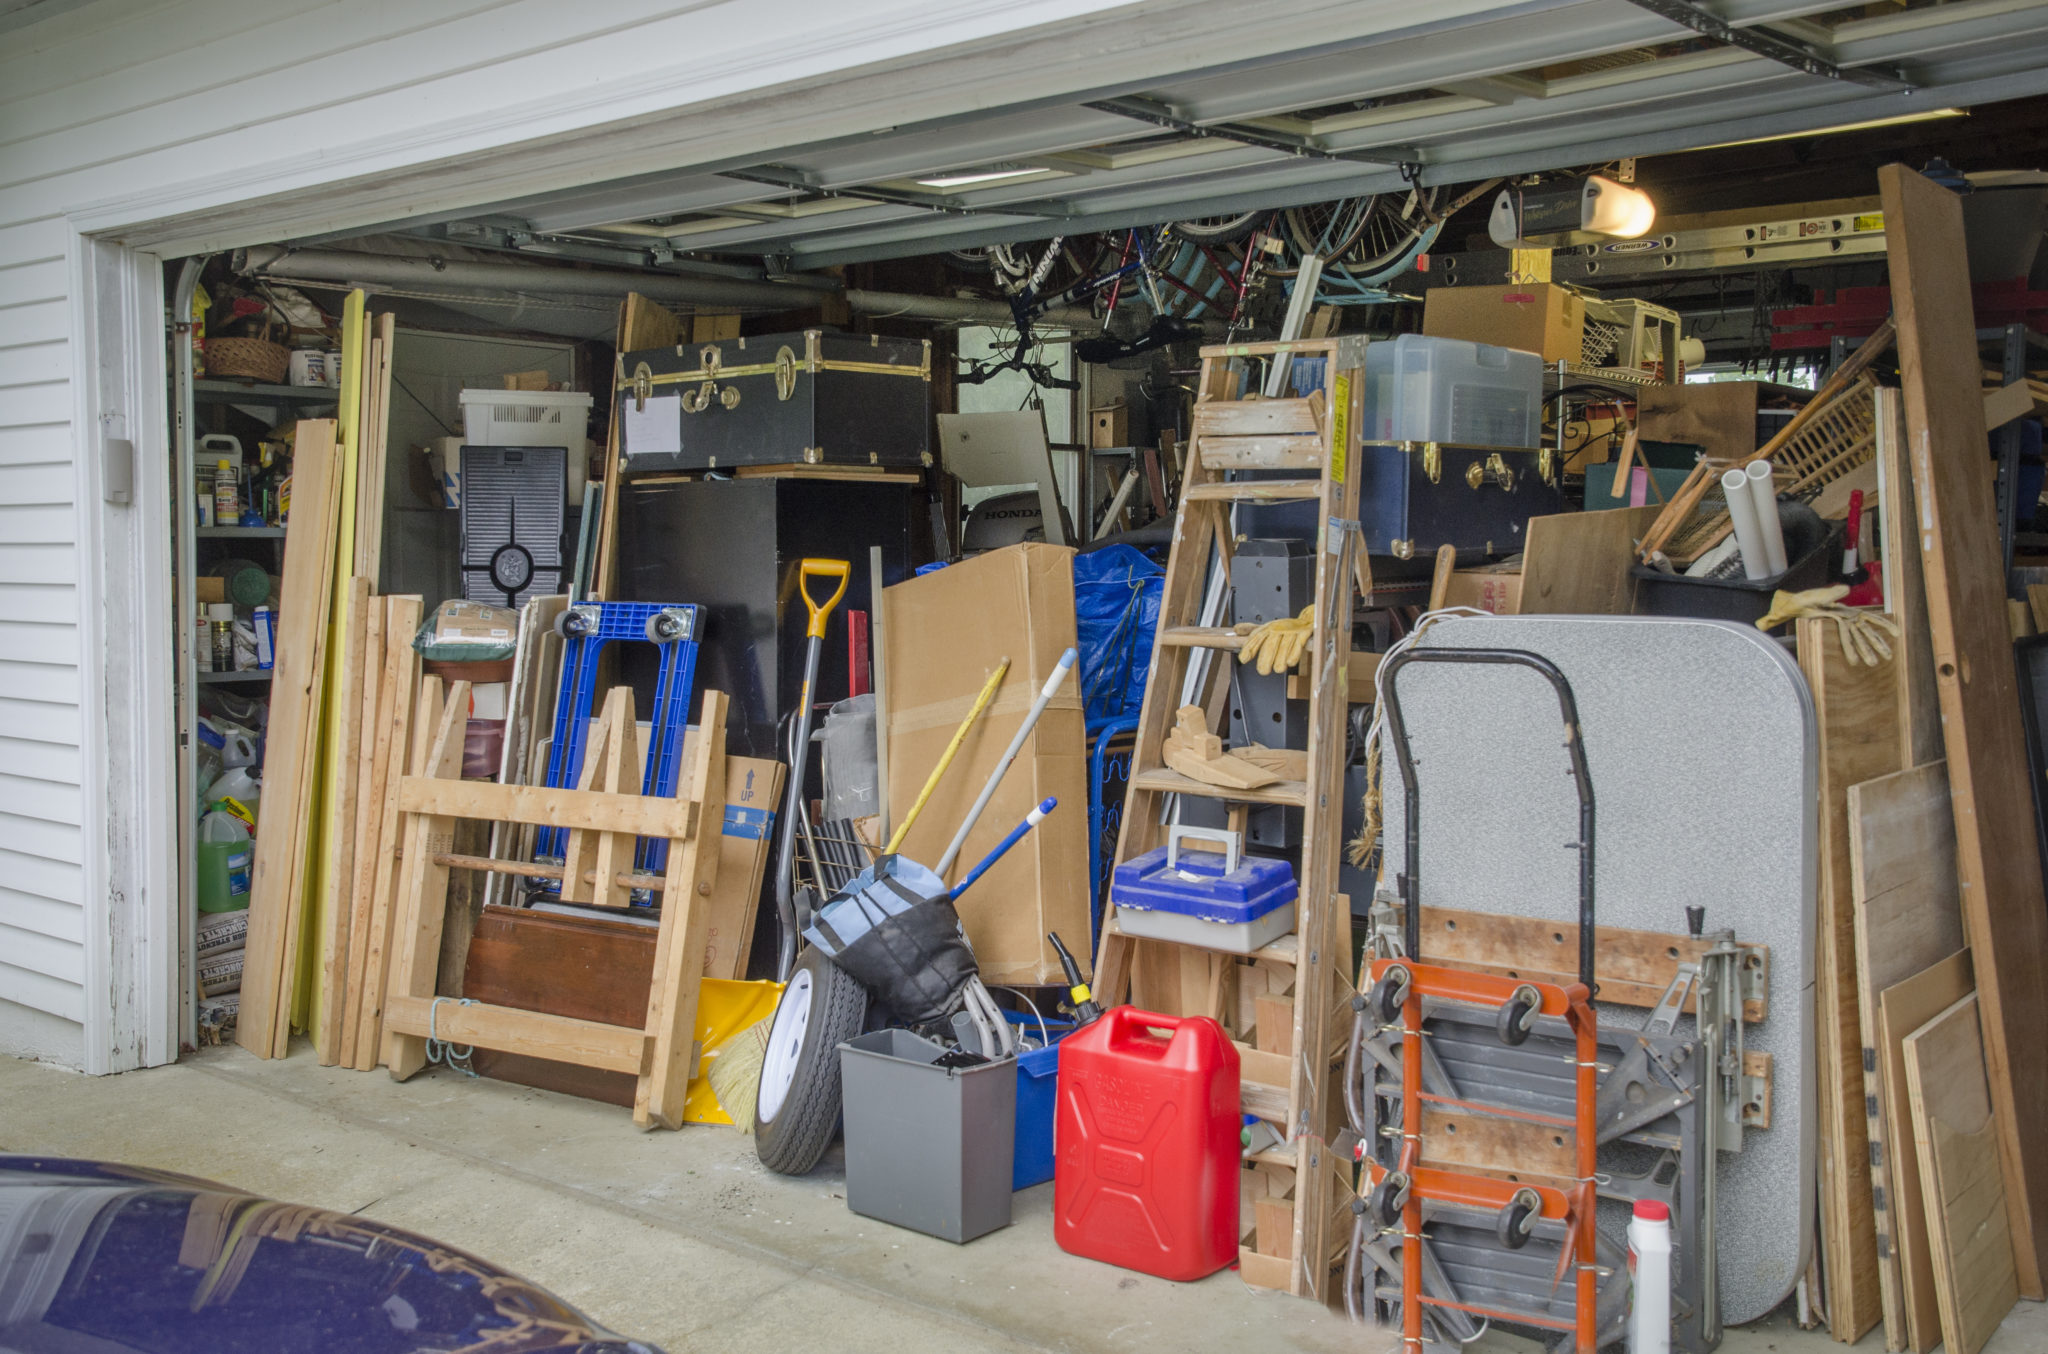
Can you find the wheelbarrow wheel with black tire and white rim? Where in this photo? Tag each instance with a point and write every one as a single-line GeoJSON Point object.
{"type": "Point", "coordinates": [798, 1107]}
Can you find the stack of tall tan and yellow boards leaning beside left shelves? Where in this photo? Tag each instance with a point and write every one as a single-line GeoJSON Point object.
{"type": "Point", "coordinates": [314, 777]}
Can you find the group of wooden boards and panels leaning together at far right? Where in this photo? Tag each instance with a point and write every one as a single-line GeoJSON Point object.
{"type": "Point", "coordinates": [1932, 923]}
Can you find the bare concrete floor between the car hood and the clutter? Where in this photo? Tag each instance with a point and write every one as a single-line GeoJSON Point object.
{"type": "Point", "coordinates": [677, 1238]}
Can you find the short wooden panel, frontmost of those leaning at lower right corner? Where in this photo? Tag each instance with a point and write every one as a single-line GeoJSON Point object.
{"type": "Point", "coordinates": [1963, 1189]}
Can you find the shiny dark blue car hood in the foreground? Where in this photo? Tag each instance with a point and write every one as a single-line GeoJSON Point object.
{"type": "Point", "coordinates": [101, 1259]}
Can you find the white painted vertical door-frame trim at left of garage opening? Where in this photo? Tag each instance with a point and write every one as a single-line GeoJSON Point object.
{"type": "Point", "coordinates": [126, 663]}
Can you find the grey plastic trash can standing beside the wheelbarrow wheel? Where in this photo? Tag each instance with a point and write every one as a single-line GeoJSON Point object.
{"type": "Point", "coordinates": [927, 1148]}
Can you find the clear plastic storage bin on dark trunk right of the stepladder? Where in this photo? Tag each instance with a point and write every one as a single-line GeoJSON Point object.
{"type": "Point", "coordinates": [1451, 390]}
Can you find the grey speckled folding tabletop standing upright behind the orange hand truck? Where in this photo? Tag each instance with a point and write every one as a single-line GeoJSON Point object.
{"type": "Point", "coordinates": [1664, 704]}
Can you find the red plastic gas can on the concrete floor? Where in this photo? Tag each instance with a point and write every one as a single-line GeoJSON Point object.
{"type": "Point", "coordinates": [1148, 1144]}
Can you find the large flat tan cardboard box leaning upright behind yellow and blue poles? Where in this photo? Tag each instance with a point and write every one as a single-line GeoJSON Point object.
{"type": "Point", "coordinates": [947, 632]}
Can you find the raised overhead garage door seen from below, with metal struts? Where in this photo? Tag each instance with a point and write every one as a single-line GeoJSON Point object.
{"type": "Point", "coordinates": [1480, 93]}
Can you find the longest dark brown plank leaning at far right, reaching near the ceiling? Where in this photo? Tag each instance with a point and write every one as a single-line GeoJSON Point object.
{"type": "Point", "coordinates": [1977, 683]}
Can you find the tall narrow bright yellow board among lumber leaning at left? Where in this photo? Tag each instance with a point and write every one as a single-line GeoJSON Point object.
{"type": "Point", "coordinates": [329, 763]}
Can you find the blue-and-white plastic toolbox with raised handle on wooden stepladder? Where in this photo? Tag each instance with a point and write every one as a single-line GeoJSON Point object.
{"type": "Point", "coordinates": [1215, 900]}
